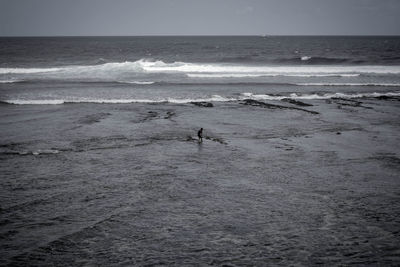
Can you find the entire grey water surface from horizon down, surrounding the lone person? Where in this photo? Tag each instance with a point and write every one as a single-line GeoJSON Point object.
{"type": "Point", "coordinates": [100, 163]}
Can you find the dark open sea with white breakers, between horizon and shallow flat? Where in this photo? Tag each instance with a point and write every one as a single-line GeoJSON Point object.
{"type": "Point", "coordinates": [184, 69]}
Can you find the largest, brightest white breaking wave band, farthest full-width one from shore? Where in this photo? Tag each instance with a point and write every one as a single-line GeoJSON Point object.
{"type": "Point", "coordinates": [200, 68]}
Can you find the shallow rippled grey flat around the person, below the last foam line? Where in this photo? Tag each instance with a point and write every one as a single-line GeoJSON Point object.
{"type": "Point", "coordinates": [273, 183]}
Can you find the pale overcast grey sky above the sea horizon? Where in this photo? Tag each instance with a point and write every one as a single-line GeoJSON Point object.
{"type": "Point", "coordinates": [198, 17]}
